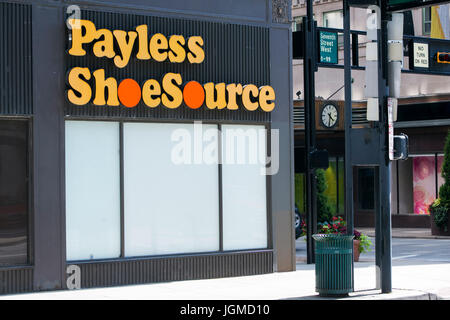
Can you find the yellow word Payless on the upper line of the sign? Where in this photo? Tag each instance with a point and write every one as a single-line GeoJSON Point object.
{"type": "Point", "coordinates": [159, 47]}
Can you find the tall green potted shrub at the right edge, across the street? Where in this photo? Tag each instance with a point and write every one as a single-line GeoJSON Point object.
{"type": "Point", "coordinates": [439, 209]}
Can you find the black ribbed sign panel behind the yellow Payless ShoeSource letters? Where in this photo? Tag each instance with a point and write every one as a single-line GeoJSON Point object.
{"type": "Point", "coordinates": [233, 54]}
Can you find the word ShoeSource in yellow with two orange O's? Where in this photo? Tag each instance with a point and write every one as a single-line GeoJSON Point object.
{"type": "Point", "coordinates": [170, 92]}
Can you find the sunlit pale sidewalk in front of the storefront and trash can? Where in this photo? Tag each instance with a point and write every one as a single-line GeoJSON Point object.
{"type": "Point", "coordinates": [411, 282]}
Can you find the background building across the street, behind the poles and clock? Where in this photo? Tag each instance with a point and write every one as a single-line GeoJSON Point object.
{"type": "Point", "coordinates": [423, 114]}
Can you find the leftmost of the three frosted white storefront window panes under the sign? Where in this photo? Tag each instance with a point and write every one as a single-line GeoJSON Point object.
{"type": "Point", "coordinates": [92, 190]}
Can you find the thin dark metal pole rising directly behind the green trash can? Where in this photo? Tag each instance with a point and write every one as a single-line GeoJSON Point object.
{"type": "Point", "coordinates": [348, 174]}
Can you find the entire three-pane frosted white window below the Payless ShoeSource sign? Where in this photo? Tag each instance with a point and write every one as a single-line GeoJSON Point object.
{"type": "Point", "coordinates": [169, 207]}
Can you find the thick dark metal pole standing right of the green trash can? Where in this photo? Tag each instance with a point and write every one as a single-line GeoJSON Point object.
{"type": "Point", "coordinates": [384, 220]}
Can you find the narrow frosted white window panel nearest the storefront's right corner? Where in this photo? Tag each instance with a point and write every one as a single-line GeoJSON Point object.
{"type": "Point", "coordinates": [244, 187]}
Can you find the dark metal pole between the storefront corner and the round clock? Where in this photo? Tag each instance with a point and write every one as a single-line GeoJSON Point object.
{"type": "Point", "coordinates": [308, 80]}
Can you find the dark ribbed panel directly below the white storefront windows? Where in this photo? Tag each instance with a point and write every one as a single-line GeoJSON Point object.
{"type": "Point", "coordinates": [207, 266]}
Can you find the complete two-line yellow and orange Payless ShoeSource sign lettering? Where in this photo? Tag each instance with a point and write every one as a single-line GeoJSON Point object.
{"type": "Point", "coordinates": [120, 46]}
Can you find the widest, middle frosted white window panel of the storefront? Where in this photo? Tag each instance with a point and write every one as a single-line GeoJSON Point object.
{"type": "Point", "coordinates": [169, 207]}
